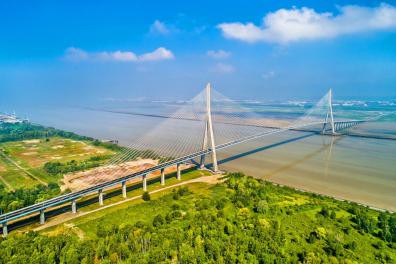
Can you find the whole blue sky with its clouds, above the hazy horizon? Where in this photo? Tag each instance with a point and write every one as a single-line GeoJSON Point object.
{"type": "Point", "coordinates": [79, 52]}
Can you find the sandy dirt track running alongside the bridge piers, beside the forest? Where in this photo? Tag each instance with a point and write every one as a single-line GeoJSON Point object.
{"type": "Point", "coordinates": [62, 219]}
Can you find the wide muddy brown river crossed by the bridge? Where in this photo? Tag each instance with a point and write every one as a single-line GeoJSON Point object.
{"type": "Point", "coordinates": [358, 169]}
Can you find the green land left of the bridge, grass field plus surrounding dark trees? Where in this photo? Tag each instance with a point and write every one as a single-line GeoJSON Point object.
{"type": "Point", "coordinates": [34, 158]}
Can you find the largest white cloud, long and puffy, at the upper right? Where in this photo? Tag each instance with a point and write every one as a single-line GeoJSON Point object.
{"type": "Point", "coordinates": [291, 25]}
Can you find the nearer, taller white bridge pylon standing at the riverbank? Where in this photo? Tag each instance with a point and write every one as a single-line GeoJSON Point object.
{"type": "Point", "coordinates": [208, 133]}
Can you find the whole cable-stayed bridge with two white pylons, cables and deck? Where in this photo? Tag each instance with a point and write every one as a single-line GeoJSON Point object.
{"type": "Point", "coordinates": [198, 129]}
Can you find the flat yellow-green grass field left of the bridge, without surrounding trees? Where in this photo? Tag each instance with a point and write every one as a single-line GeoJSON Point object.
{"type": "Point", "coordinates": [21, 162]}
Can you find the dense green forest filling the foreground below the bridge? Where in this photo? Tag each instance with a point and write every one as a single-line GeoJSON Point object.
{"type": "Point", "coordinates": [242, 220]}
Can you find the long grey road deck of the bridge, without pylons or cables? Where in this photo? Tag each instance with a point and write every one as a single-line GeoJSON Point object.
{"type": "Point", "coordinates": [72, 197]}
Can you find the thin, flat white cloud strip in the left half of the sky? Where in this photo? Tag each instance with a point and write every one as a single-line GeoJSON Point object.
{"type": "Point", "coordinates": [76, 54]}
